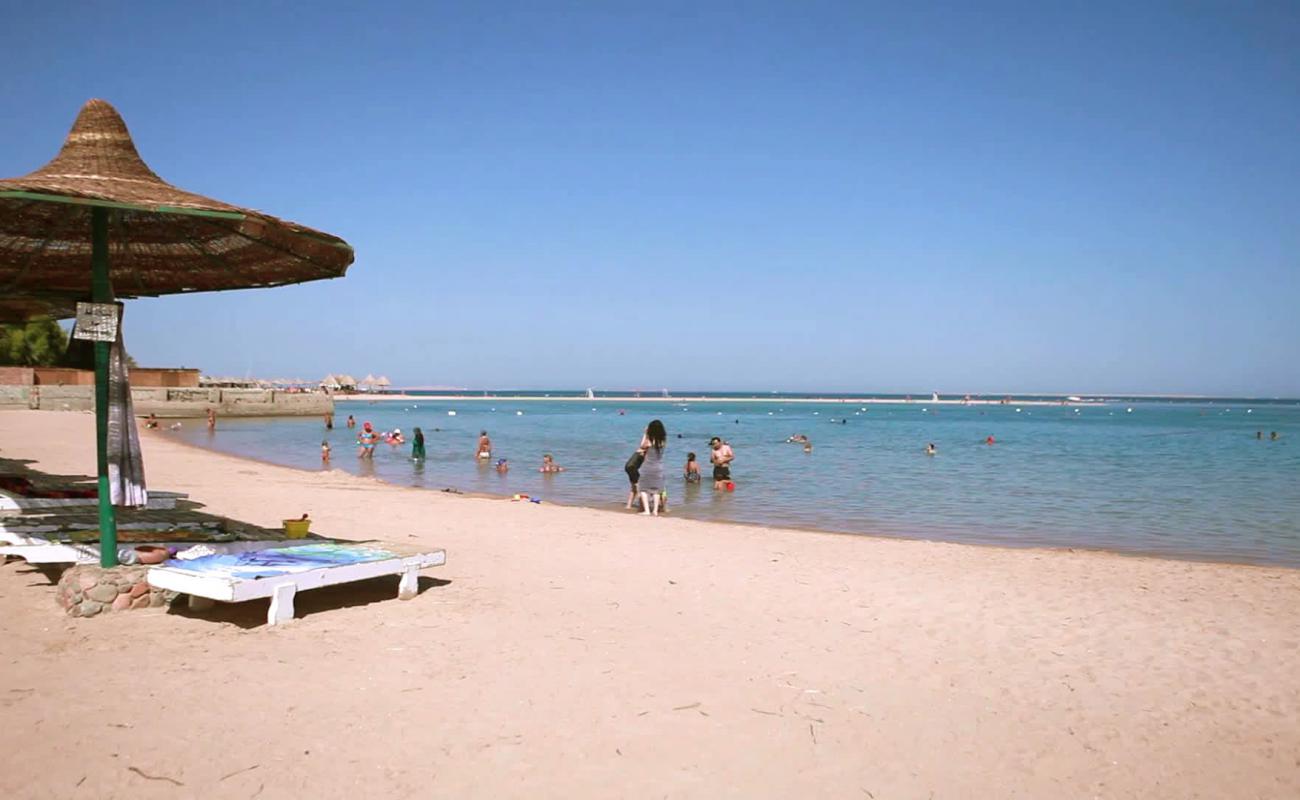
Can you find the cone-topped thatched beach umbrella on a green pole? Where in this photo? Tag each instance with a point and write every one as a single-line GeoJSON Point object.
{"type": "Point", "coordinates": [98, 224]}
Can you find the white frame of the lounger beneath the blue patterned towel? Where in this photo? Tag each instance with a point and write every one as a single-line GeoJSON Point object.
{"type": "Point", "coordinates": [283, 589]}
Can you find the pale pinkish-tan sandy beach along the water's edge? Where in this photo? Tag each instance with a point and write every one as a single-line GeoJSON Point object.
{"type": "Point", "coordinates": [570, 652]}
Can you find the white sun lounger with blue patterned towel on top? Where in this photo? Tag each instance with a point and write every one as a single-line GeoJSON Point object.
{"type": "Point", "coordinates": [300, 572]}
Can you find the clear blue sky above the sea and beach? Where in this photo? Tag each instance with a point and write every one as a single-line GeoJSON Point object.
{"type": "Point", "coordinates": [807, 196]}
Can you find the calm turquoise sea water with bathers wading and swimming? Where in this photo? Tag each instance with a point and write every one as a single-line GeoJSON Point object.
{"type": "Point", "coordinates": [1185, 479]}
